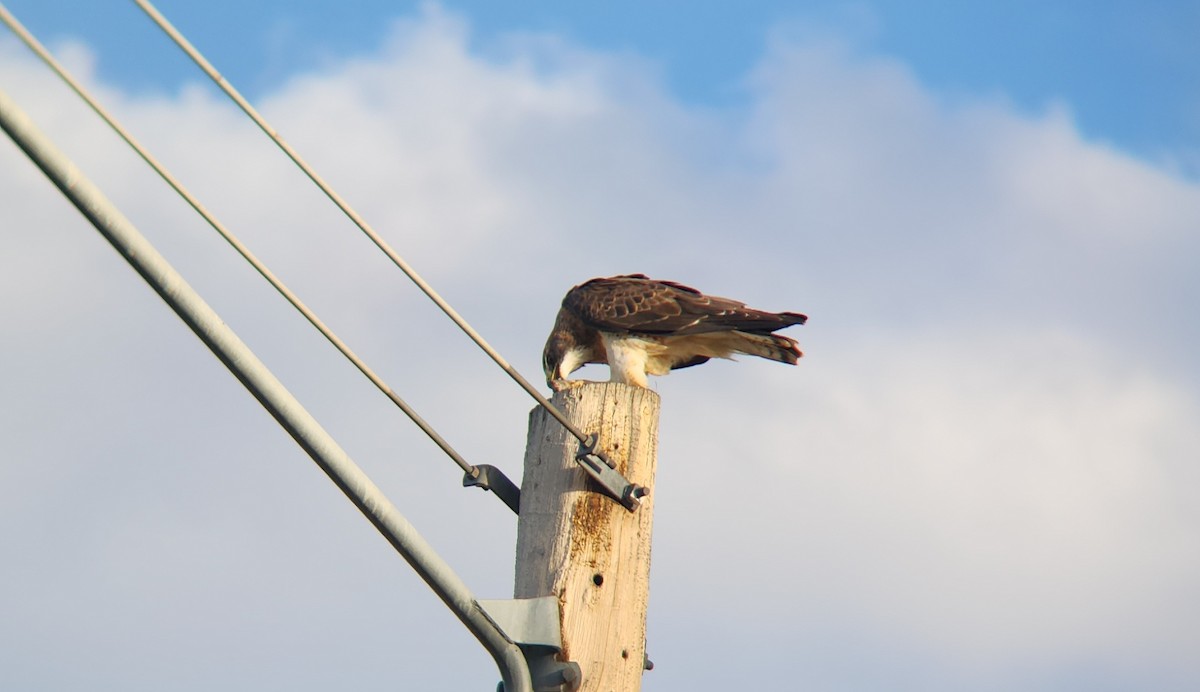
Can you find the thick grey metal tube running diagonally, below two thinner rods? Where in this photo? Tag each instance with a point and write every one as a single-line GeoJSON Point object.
{"type": "Point", "coordinates": [268, 390]}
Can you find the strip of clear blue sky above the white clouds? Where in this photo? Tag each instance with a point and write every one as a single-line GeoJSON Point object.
{"type": "Point", "coordinates": [1129, 71]}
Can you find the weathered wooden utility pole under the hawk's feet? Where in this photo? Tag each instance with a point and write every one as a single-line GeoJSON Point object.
{"type": "Point", "coordinates": [579, 545]}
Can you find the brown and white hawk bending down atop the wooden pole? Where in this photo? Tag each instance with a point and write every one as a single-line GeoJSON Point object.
{"type": "Point", "coordinates": [641, 327]}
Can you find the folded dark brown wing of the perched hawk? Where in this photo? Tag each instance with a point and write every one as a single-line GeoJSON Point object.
{"type": "Point", "coordinates": [637, 304]}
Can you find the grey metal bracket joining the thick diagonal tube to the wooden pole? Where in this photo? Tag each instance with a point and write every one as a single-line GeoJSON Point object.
{"type": "Point", "coordinates": [533, 624]}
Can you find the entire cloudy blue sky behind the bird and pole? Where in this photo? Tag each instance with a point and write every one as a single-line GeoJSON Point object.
{"type": "Point", "coordinates": [979, 478]}
